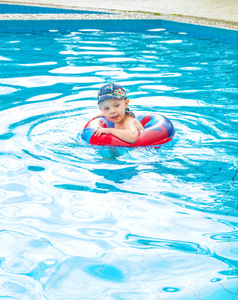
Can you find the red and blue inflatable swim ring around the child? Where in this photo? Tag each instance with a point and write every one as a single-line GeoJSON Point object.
{"type": "Point", "coordinates": [157, 130]}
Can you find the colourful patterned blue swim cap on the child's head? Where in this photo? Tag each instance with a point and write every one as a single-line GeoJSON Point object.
{"type": "Point", "coordinates": [111, 91]}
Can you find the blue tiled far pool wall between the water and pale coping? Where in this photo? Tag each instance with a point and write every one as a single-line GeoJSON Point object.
{"type": "Point", "coordinates": [198, 31]}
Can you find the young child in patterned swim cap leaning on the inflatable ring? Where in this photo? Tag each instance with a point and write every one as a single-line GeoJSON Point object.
{"type": "Point", "coordinates": [113, 103]}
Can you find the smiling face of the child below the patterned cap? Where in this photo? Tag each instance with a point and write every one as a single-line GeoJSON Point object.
{"type": "Point", "coordinates": [114, 109]}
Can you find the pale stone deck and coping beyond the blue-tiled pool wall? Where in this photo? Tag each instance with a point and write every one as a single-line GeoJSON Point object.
{"type": "Point", "coordinates": [215, 13]}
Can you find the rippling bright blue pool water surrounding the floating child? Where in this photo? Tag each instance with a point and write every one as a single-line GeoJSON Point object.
{"type": "Point", "coordinates": [84, 222]}
